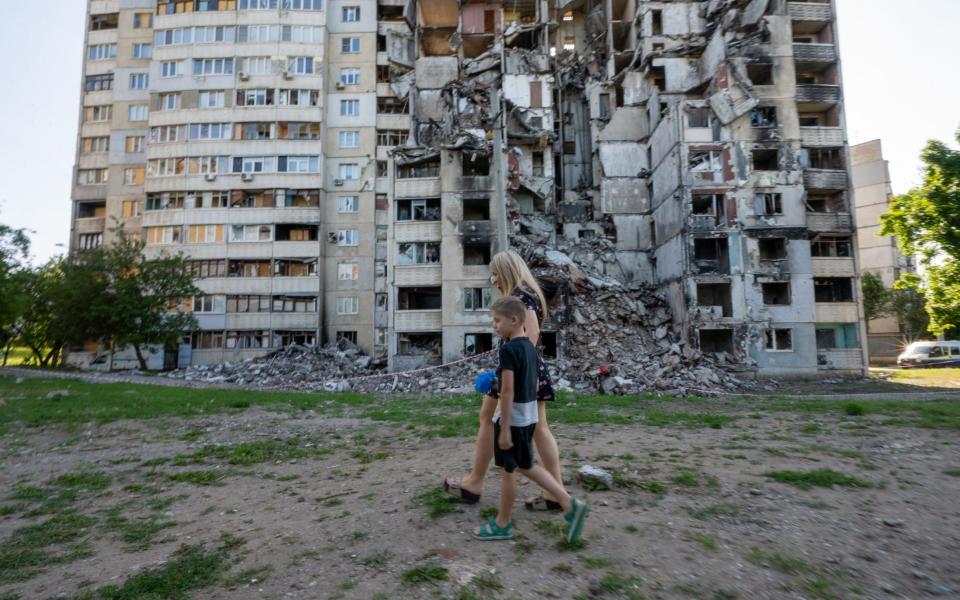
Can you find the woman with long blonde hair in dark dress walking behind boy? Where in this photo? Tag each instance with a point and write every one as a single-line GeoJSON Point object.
{"type": "Point", "coordinates": [512, 276]}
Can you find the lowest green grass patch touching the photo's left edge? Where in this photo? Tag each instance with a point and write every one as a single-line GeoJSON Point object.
{"type": "Point", "coordinates": [30, 549]}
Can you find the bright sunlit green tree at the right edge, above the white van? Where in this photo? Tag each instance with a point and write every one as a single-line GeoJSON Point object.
{"type": "Point", "coordinates": [926, 223]}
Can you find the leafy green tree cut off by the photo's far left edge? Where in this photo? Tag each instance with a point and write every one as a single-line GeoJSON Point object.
{"type": "Point", "coordinates": [14, 271]}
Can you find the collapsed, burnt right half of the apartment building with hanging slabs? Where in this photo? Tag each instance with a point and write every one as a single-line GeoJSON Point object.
{"type": "Point", "coordinates": [703, 141]}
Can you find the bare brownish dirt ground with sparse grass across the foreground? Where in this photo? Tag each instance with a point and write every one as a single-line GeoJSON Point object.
{"type": "Point", "coordinates": [692, 515]}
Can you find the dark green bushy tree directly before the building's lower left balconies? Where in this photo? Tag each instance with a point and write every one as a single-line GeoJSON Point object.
{"type": "Point", "coordinates": [145, 295]}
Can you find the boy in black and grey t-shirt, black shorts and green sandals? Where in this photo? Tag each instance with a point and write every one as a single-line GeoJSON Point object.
{"type": "Point", "coordinates": [514, 424]}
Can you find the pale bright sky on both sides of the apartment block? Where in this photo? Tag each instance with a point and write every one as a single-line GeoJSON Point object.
{"type": "Point", "coordinates": [899, 71]}
